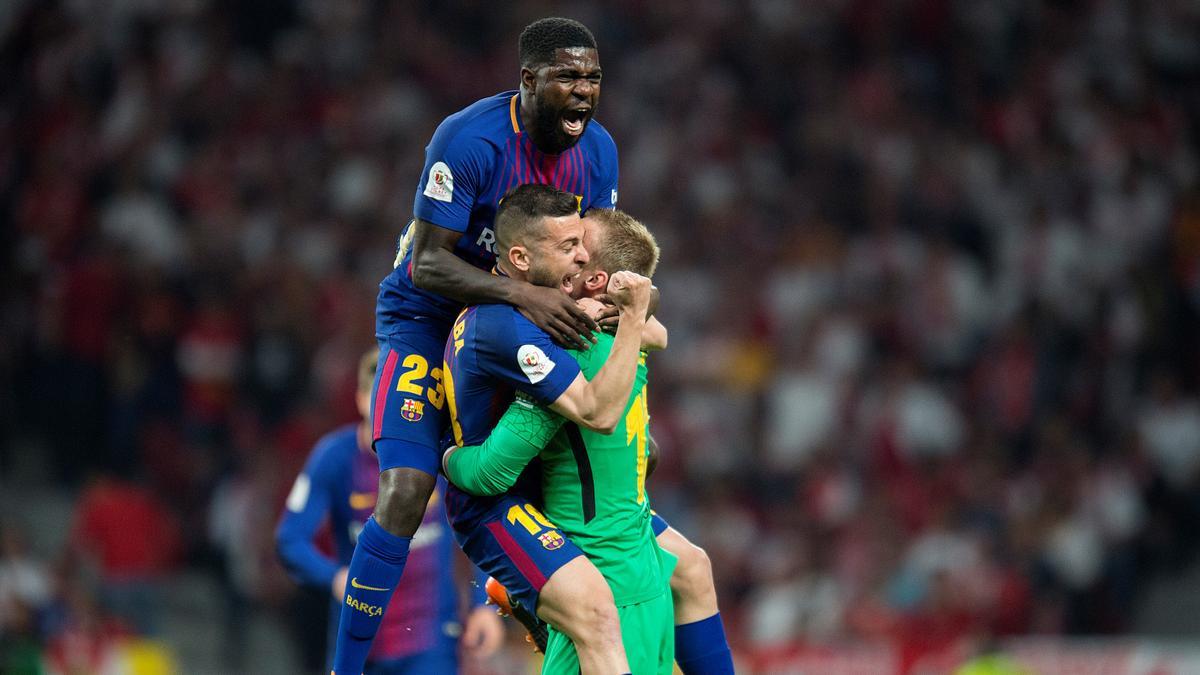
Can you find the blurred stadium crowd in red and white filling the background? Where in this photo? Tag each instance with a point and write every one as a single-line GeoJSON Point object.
{"type": "Point", "coordinates": [932, 272]}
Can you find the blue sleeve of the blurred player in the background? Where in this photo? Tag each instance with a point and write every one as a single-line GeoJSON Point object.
{"type": "Point", "coordinates": [308, 506]}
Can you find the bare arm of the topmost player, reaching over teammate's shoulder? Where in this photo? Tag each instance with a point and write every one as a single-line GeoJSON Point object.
{"type": "Point", "coordinates": [436, 268]}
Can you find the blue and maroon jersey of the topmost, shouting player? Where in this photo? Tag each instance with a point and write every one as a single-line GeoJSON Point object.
{"type": "Point", "coordinates": [476, 157]}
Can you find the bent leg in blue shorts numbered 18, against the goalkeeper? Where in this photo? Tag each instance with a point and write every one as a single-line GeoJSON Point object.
{"type": "Point", "coordinates": [513, 542]}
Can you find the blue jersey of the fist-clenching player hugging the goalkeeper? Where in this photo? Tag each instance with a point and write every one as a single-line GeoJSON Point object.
{"type": "Point", "coordinates": [495, 351]}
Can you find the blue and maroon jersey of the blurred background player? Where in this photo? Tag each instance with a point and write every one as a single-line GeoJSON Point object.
{"type": "Point", "coordinates": [340, 482]}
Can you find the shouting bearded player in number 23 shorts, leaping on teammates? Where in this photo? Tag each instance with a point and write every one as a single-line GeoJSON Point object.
{"type": "Point", "coordinates": [542, 134]}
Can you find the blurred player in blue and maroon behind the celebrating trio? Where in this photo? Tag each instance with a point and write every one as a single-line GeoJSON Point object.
{"type": "Point", "coordinates": [422, 630]}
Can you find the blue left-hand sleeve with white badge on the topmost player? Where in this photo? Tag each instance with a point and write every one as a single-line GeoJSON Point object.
{"type": "Point", "coordinates": [457, 166]}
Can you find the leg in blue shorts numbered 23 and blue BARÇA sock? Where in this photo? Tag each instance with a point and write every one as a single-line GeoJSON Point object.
{"type": "Point", "coordinates": [407, 417]}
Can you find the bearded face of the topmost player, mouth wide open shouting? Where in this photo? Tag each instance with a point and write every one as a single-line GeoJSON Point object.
{"type": "Point", "coordinates": [566, 97]}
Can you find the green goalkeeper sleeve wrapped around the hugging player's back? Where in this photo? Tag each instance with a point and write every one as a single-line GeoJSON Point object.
{"type": "Point", "coordinates": [495, 467]}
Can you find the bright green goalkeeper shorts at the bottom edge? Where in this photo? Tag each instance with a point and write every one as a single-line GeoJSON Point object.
{"type": "Point", "coordinates": [647, 629]}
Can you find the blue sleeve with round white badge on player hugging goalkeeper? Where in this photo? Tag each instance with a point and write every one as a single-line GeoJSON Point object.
{"type": "Point", "coordinates": [523, 356]}
